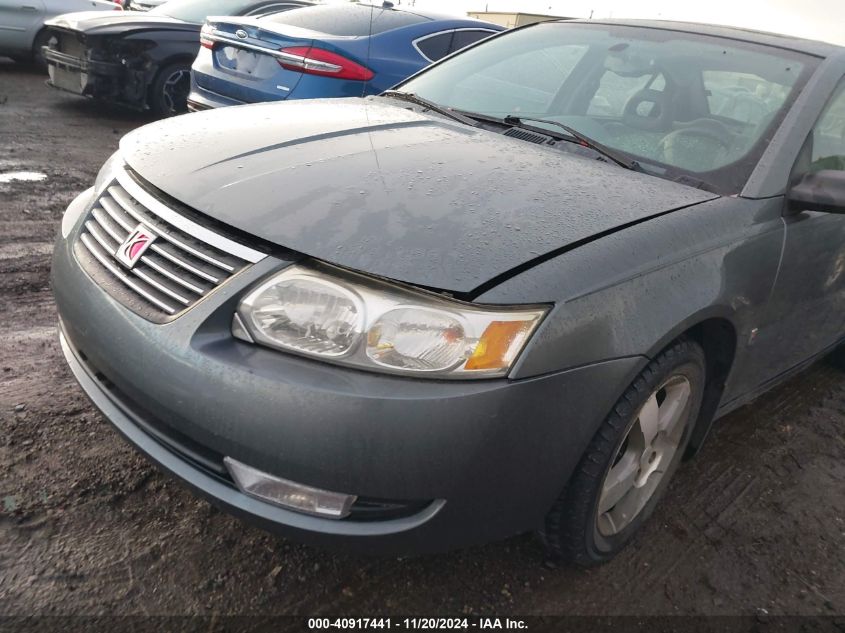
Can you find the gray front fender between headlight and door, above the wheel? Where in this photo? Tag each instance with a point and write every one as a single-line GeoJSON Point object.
{"type": "Point", "coordinates": [632, 292]}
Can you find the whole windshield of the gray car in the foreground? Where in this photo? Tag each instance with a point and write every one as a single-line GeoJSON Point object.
{"type": "Point", "coordinates": [680, 104]}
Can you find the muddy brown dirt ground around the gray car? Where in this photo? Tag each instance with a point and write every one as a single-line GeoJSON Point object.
{"type": "Point", "coordinates": [756, 524]}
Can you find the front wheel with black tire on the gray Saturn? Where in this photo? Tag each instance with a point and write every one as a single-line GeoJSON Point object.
{"type": "Point", "coordinates": [590, 522]}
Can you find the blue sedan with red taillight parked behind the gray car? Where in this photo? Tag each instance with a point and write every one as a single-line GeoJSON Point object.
{"type": "Point", "coordinates": [346, 50]}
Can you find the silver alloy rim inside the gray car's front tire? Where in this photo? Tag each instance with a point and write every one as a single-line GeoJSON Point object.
{"type": "Point", "coordinates": [644, 456]}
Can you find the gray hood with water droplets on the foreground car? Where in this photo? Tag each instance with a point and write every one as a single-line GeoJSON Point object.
{"type": "Point", "coordinates": [376, 187]}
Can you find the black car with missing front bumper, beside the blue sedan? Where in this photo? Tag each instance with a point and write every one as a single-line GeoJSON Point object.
{"type": "Point", "coordinates": [139, 60]}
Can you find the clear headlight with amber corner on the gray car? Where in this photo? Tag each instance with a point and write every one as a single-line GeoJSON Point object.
{"type": "Point", "coordinates": [350, 319]}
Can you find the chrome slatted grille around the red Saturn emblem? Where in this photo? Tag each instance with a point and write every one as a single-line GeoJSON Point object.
{"type": "Point", "coordinates": [184, 263]}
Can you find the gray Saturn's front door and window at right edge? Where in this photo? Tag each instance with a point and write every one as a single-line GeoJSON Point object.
{"type": "Point", "coordinates": [806, 313]}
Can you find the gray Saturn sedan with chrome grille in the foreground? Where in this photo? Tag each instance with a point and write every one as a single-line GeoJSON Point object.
{"type": "Point", "coordinates": [511, 294]}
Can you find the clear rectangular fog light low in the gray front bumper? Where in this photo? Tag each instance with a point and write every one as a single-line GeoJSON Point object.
{"type": "Point", "coordinates": [289, 494]}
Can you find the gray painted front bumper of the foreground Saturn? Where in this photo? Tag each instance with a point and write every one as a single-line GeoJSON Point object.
{"type": "Point", "coordinates": [487, 458]}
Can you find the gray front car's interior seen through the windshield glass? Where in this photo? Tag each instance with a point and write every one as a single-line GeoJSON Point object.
{"type": "Point", "coordinates": [675, 103]}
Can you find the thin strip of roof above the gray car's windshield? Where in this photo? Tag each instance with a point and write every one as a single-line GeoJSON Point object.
{"type": "Point", "coordinates": [778, 40]}
